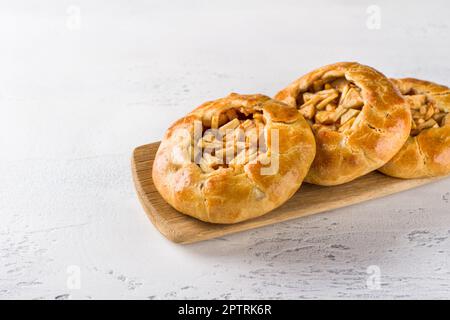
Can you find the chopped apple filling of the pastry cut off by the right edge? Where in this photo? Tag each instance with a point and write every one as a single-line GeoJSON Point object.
{"type": "Point", "coordinates": [426, 114]}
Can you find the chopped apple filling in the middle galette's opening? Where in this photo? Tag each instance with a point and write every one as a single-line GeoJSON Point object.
{"type": "Point", "coordinates": [333, 104]}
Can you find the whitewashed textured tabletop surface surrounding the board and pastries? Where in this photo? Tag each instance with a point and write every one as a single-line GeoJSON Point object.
{"type": "Point", "coordinates": [76, 95]}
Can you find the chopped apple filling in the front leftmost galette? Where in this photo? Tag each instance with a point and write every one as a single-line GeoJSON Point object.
{"type": "Point", "coordinates": [232, 138]}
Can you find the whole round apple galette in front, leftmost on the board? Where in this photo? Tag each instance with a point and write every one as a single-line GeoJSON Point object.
{"type": "Point", "coordinates": [234, 158]}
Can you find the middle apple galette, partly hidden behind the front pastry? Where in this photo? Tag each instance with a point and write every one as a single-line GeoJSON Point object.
{"type": "Point", "coordinates": [359, 120]}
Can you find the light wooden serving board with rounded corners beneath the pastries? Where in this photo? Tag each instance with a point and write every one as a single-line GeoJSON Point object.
{"type": "Point", "coordinates": [310, 199]}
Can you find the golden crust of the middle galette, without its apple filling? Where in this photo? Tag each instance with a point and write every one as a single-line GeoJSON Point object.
{"type": "Point", "coordinates": [377, 134]}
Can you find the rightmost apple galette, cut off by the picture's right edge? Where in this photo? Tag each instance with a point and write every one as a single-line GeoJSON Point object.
{"type": "Point", "coordinates": [426, 153]}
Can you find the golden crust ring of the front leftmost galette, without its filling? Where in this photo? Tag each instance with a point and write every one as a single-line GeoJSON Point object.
{"type": "Point", "coordinates": [233, 193]}
